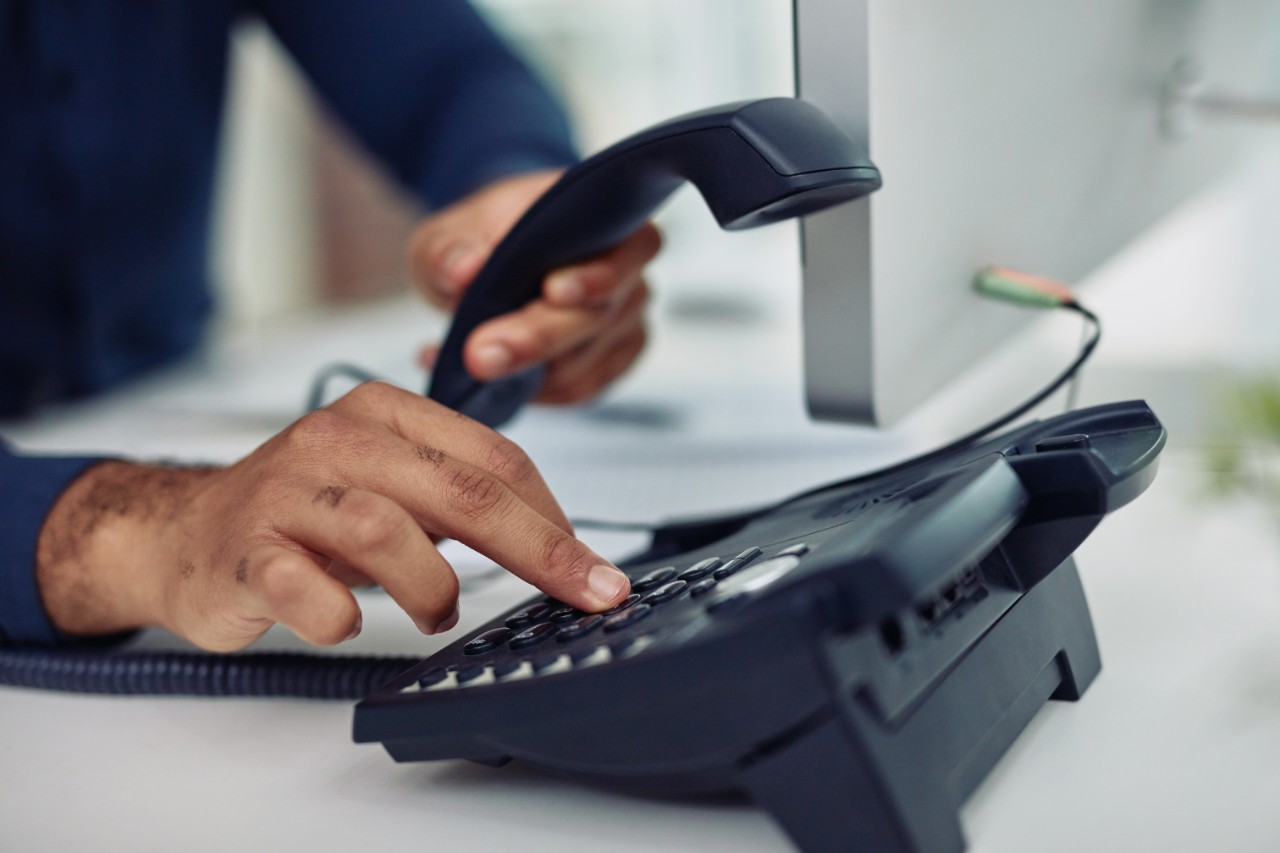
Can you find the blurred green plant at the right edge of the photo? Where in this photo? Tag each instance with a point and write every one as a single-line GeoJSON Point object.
{"type": "Point", "coordinates": [1245, 458]}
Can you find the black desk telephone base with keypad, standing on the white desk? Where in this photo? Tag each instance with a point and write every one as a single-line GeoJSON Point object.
{"type": "Point", "coordinates": [854, 659]}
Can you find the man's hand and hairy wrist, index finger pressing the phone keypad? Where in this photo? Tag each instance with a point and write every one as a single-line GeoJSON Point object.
{"type": "Point", "coordinates": [353, 494]}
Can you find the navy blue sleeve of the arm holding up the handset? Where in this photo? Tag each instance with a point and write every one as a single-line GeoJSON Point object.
{"type": "Point", "coordinates": [428, 88]}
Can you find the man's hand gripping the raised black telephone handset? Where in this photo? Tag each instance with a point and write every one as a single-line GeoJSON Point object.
{"type": "Point", "coordinates": [588, 326]}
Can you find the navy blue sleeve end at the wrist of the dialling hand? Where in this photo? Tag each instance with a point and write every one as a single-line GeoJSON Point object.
{"type": "Point", "coordinates": [29, 489]}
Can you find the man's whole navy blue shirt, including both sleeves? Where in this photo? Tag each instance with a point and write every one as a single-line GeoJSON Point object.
{"type": "Point", "coordinates": [109, 124]}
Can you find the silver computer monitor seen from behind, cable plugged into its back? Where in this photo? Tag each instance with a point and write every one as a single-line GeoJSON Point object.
{"type": "Point", "coordinates": [1030, 134]}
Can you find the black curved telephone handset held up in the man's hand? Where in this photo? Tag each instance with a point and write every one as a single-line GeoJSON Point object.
{"type": "Point", "coordinates": [755, 163]}
